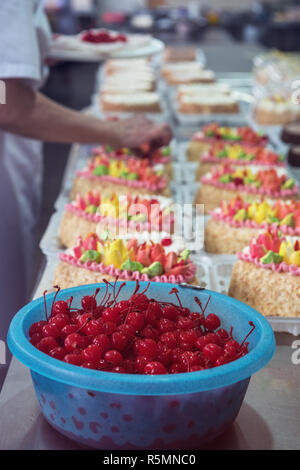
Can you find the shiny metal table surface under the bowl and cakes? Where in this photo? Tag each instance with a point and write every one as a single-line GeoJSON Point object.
{"type": "Point", "coordinates": [269, 417]}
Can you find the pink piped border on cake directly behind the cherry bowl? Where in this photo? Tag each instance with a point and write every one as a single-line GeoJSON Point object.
{"type": "Point", "coordinates": [129, 275]}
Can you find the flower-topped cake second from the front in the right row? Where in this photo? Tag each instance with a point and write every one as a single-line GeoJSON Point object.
{"type": "Point", "coordinates": [232, 226]}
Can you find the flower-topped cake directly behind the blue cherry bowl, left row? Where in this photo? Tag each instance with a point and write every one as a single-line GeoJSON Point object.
{"type": "Point", "coordinates": [95, 258]}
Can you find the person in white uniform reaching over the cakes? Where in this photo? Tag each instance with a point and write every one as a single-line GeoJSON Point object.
{"type": "Point", "coordinates": [26, 119]}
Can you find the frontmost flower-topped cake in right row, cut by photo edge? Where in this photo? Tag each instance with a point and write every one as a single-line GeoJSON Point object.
{"type": "Point", "coordinates": [267, 275]}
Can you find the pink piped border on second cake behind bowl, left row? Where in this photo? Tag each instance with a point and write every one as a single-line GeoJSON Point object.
{"type": "Point", "coordinates": [97, 218]}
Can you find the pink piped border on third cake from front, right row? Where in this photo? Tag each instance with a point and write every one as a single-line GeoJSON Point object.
{"type": "Point", "coordinates": [250, 189]}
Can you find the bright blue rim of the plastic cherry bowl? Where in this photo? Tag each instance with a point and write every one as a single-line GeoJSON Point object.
{"type": "Point", "coordinates": [134, 384]}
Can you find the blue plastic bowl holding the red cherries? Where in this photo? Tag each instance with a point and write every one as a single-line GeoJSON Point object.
{"type": "Point", "coordinates": [124, 411]}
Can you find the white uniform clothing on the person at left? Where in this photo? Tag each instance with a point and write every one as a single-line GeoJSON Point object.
{"type": "Point", "coordinates": [24, 40]}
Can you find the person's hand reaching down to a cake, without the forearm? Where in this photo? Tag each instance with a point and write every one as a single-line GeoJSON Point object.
{"type": "Point", "coordinates": [137, 131]}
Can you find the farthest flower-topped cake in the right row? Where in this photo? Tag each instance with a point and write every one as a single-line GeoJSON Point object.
{"type": "Point", "coordinates": [214, 133]}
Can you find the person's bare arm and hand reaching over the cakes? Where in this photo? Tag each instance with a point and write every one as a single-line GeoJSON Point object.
{"type": "Point", "coordinates": [30, 114]}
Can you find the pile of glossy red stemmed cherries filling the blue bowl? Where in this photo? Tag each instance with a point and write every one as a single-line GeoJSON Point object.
{"type": "Point", "coordinates": [136, 336]}
